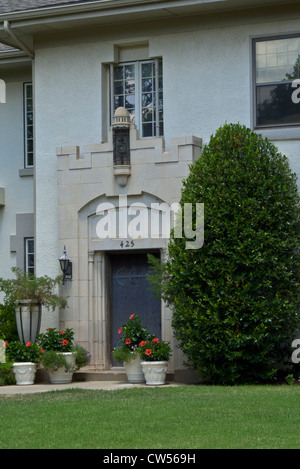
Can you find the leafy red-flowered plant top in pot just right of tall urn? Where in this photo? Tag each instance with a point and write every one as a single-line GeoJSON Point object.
{"type": "Point", "coordinates": [59, 341]}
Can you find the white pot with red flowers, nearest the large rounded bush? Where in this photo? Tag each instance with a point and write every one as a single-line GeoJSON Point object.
{"type": "Point", "coordinates": [154, 360]}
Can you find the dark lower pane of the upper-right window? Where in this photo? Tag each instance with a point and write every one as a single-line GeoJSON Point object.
{"type": "Point", "coordinates": [275, 105]}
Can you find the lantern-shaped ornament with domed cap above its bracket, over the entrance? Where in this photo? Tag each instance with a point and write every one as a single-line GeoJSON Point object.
{"type": "Point", "coordinates": [120, 129]}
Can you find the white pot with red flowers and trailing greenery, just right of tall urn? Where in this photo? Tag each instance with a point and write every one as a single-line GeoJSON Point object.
{"type": "Point", "coordinates": [59, 356]}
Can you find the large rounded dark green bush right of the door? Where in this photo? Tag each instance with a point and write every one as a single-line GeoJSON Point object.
{"type": "Point", "coordinates": [235, 301]}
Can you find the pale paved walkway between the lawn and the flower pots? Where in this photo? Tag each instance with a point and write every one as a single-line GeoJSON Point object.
{"type": "Point", "coordinates": [105, 385]}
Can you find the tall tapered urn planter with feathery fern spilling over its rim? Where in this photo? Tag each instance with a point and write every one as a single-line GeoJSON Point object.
{"type": "Point", "coordinates": [29, 293]}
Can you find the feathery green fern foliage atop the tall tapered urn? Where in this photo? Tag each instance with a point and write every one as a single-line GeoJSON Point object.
{"type": "Point", "coordinates": [26, 286]}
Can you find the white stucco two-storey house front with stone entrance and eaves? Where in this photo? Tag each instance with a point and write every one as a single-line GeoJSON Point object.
{"type": "Point", "coordinates": [74, 172]}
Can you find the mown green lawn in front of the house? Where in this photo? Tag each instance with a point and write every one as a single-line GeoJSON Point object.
{"type": "Point", "coordinates": [184, 417]}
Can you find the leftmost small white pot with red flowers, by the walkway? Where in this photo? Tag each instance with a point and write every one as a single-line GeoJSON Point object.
{"type": "Point", "coordinates": [25, 358]}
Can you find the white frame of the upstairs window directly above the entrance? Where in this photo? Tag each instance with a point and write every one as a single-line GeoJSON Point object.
{"type": "Point", "coordinates": [138, 95]}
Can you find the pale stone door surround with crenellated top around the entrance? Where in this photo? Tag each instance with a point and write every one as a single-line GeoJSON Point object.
{"type": "Point", "coordinates": [87, 178]}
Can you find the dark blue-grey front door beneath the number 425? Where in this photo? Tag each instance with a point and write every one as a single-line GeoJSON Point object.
{"type": "Point", "coordinates": [131, 294]}
